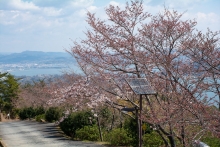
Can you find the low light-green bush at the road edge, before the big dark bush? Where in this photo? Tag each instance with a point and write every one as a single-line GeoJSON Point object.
{"type": "Point", "coordinates": [90, 133]}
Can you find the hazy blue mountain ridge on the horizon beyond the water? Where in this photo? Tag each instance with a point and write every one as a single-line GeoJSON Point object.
{"type": "Point", "coordinates": [36, 57]}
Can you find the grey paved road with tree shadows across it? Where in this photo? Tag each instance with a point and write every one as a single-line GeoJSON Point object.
{"type": "Point", "coordinates": [35, 134]}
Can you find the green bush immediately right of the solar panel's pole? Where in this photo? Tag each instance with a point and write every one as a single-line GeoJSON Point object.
{"type": "Point", "coordinates": [152, 140]}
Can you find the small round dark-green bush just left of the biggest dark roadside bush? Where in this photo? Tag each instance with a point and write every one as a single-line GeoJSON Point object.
{"type": "Point", "coordinates": [53, 114]}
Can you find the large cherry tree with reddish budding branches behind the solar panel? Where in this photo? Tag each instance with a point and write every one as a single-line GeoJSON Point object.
{"type": "Point", "coordinates": [161, 48]}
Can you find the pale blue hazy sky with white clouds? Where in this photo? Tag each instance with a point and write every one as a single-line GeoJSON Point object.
{"type": "Point", "coordinates": [50, 25]}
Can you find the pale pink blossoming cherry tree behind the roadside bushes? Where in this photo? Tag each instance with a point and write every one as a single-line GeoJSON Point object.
{"type": "Point", "coordinates": [76, 92]}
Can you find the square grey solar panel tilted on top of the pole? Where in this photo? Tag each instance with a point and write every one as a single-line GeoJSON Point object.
{"type": "Point", "coordinates": [140, 86]}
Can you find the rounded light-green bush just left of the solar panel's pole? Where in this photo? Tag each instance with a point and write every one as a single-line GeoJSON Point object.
{"type": "Point", "coordinates": [118, 137]}
